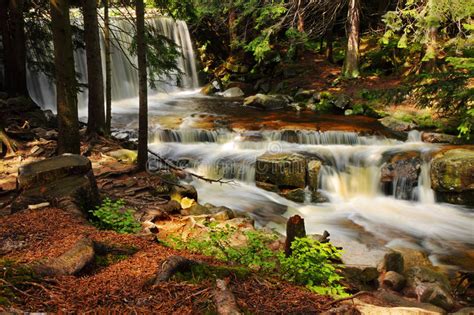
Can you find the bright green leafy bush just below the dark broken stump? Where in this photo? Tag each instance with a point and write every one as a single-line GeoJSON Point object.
{"type": "Point", "coordinates": [310, 264]}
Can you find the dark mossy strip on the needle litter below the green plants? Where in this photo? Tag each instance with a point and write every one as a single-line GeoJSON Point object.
{"type": "Point", "coordinates": [202, 272]}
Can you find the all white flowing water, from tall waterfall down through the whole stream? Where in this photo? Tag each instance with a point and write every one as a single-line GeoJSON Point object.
{"type": "Point", "coordinates": [218, 138]}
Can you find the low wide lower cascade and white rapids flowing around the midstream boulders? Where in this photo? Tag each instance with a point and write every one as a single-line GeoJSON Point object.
{"type": "Point", "coordinates": [350, 178]}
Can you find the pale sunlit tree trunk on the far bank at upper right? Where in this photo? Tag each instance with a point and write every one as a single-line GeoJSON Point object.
{"type": "Point", "coordinates": [351, 62]}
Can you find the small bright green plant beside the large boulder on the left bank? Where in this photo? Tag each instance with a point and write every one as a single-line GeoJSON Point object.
{"type": "Point", "coordinates": [112, 215]}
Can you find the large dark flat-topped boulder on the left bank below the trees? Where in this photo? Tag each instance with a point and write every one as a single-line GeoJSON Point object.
{"type": "Point", "coordinates": [66, 180]}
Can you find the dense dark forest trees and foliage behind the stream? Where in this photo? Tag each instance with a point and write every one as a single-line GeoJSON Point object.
{"type": "Point", "coordinates": [426, 45]}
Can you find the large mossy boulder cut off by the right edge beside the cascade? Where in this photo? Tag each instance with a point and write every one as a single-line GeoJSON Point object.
{"type": "Point", "coordinates": [452, 176]}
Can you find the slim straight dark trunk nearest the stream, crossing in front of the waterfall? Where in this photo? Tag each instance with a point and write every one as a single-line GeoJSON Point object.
{"type": "Point", "coordinates": [142, 89]}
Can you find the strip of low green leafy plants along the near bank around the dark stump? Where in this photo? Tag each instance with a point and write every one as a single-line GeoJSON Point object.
{"type": "Point", "coordinates": [311, 263]}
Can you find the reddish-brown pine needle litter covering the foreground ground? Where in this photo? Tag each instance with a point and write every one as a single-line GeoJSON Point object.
{"type": "Point", "coordinates": [121, 287]}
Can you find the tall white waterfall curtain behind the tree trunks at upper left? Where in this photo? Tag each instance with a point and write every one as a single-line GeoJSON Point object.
{"type": "Point", "coordinates": [124, 75]}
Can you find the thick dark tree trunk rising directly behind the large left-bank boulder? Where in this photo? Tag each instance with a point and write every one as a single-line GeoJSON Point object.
{"type": "Point", "coordinates": [68, 138]}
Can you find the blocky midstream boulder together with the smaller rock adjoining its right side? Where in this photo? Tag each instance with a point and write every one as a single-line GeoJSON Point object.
{"type": "Point", "coordinates": [288, 174]}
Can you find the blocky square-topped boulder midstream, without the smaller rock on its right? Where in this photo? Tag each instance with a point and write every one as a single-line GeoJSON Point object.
{"type": "Point", "coordinates": [285, 170]}
